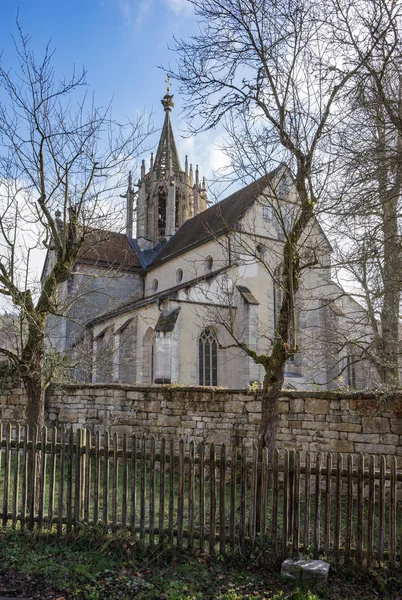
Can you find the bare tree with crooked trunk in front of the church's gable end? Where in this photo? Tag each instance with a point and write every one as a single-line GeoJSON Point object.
{"type": "Point", "coordinates": [272, 70]}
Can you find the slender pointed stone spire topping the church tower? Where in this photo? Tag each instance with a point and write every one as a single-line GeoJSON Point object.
{"type": "Point", "coordinates": [167, 158]}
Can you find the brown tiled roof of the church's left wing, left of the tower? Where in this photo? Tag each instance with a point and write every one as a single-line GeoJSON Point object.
{"type": "Point", "coordinates": [109, 249]}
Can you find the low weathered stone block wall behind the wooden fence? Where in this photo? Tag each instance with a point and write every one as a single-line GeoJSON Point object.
{"type": "Point", "coordinates": [326, 421]}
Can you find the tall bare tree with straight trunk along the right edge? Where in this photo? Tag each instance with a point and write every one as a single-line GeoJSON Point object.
{"type": "Point", "coordinates": [369, 170]}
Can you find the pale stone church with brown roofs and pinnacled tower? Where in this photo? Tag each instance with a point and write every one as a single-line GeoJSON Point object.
{"type": "Point", "coordinates": [170, 299]}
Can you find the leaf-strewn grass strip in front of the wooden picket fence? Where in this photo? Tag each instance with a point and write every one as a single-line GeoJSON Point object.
{"type": "Point", "coordinates": [92, 566]}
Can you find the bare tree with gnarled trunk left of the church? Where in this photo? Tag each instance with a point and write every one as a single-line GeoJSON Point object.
{"type": "Point", "coordinates": [60, 164]}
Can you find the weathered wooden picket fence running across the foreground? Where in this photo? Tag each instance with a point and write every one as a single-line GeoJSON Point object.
{"type": "Point", "coordinates": [203, 496]}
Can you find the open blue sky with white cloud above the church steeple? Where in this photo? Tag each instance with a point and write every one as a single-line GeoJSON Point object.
{"type": "Point", "coordinates": [121, 43]}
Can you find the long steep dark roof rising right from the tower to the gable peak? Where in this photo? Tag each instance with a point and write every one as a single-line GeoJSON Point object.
{"type": "Point", "coordinates": [216, 220]}
